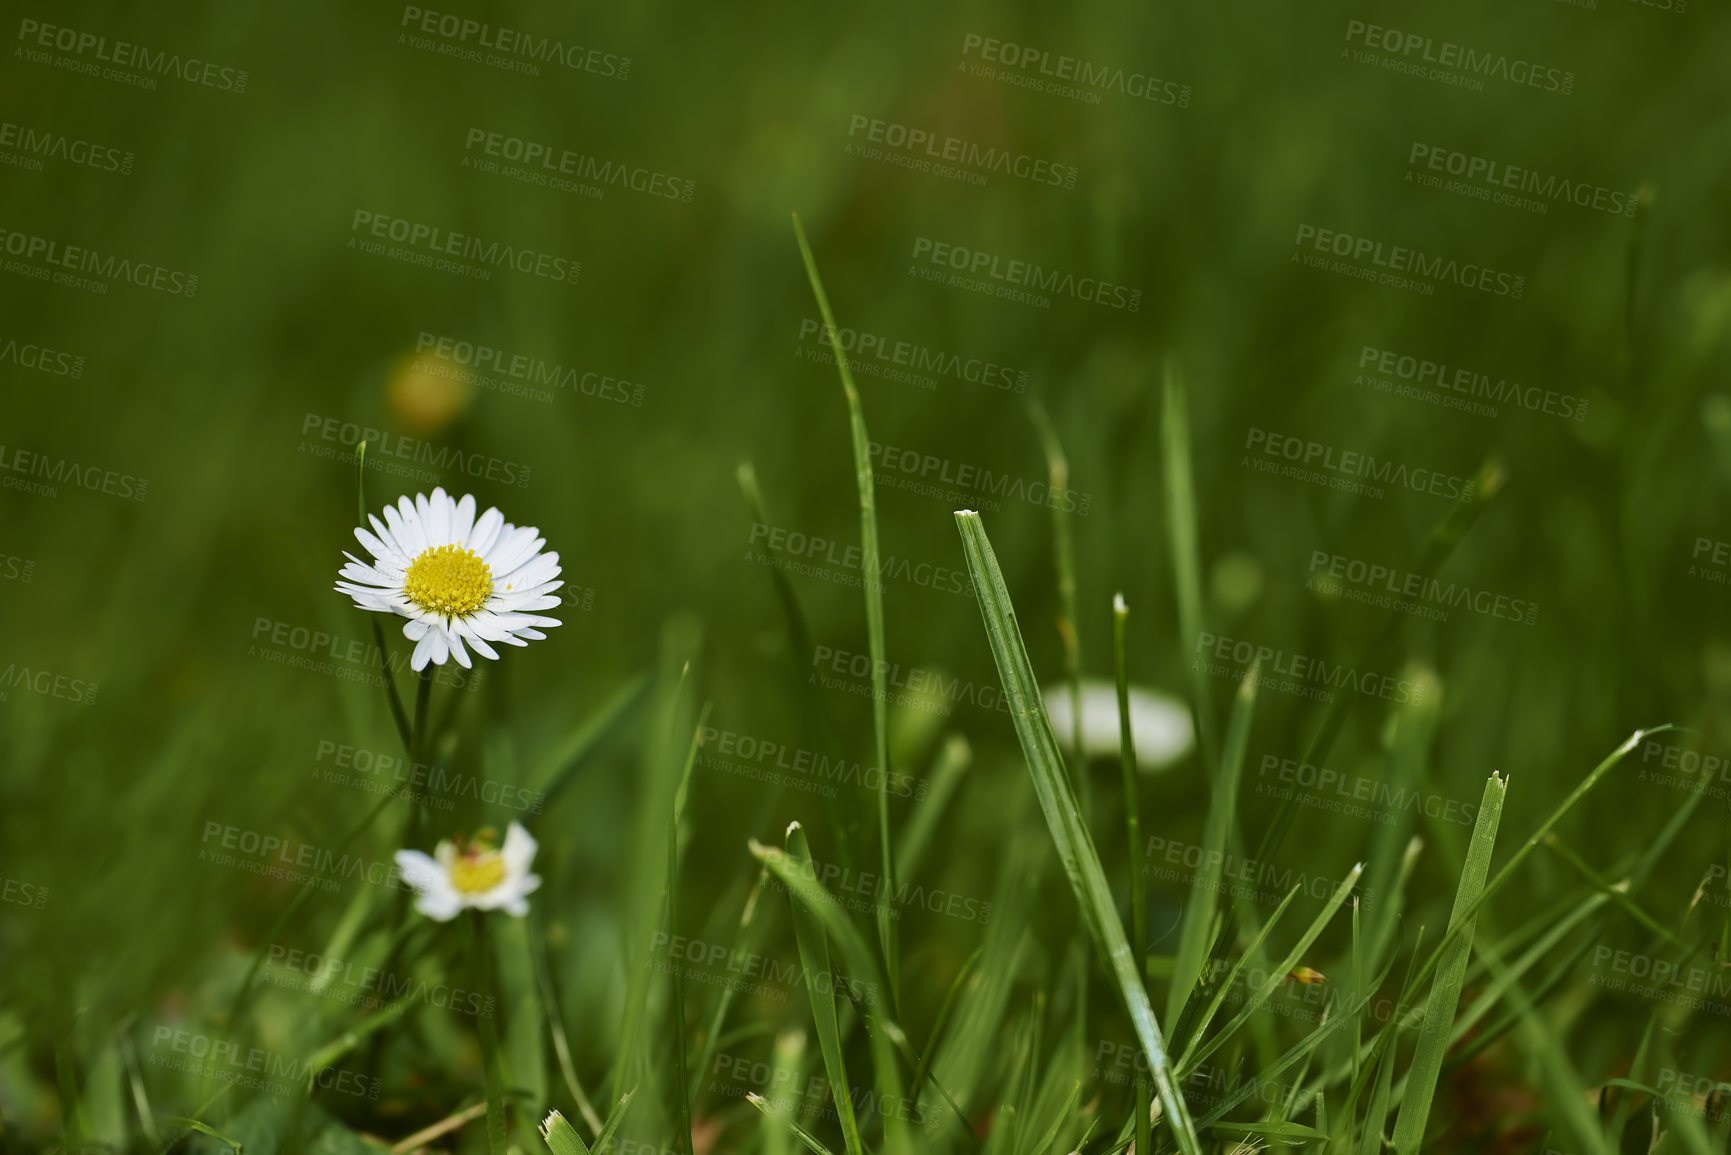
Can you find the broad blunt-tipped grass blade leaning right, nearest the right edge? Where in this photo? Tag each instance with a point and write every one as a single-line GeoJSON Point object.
{"type": "Point", "coordinates": [1446, 990]}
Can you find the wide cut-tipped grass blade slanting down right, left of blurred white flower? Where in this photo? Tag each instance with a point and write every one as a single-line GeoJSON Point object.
{"type": "Point", "coordinates": [1064, 818]}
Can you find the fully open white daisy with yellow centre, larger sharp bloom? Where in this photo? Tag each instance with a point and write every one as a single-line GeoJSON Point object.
{"type": "Point", "coordinates": [461, 581]}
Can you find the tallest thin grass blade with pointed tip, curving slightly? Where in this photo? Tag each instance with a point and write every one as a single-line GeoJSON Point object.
{"type": "Point", "coordinates": [873, 588]}
